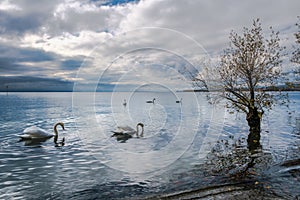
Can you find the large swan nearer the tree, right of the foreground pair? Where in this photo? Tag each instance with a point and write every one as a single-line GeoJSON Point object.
{"type": "Point", "coordinates": [123, 133]}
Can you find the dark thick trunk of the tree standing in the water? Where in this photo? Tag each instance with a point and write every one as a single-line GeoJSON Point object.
{"type": "Point", "coordinates": [253, 118]}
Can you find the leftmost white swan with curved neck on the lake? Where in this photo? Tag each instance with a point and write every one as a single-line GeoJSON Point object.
{"type": "Point", "coordinates": [34, 132]}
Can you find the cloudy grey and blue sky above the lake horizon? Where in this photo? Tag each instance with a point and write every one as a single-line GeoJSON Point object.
{"type": "Point", "coordinates": [60, 45]}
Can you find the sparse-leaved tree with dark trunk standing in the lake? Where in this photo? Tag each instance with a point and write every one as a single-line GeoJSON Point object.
{"type": "Point", "coordinates": [249, 65]}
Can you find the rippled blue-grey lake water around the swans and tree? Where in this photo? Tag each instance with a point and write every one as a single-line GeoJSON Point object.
{"type": "Point", "coordinates": [186, 146]}
